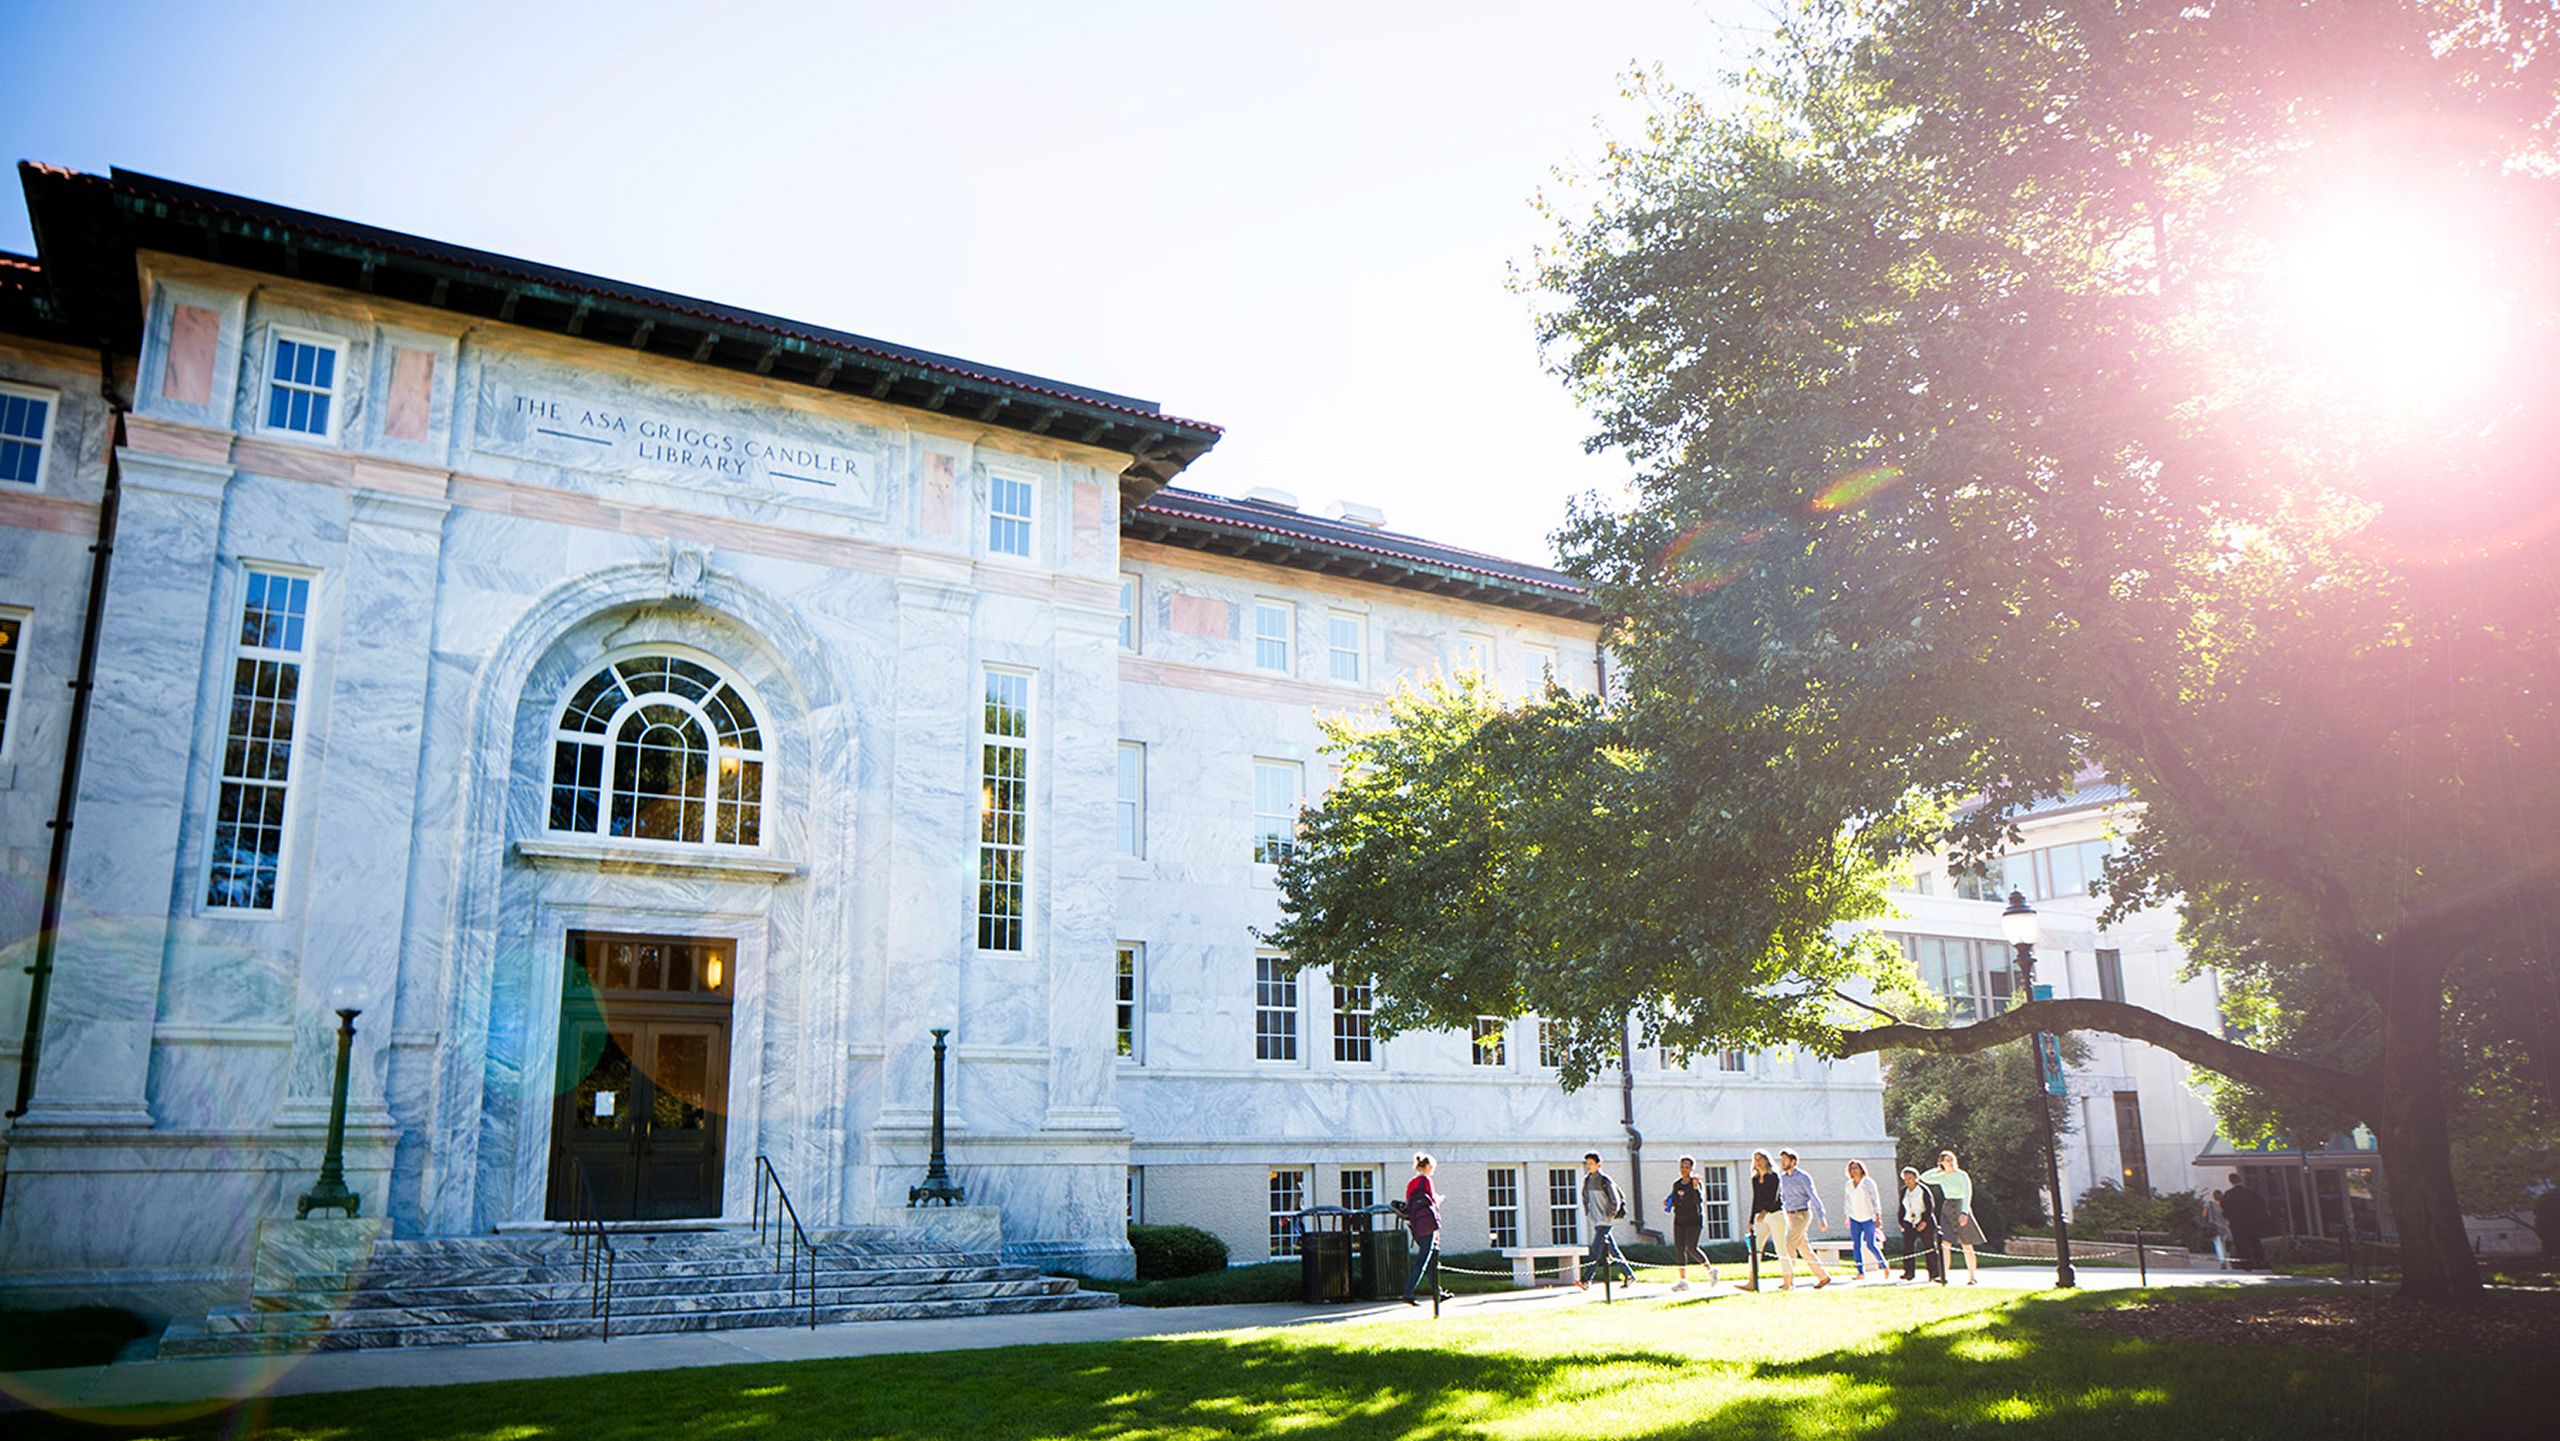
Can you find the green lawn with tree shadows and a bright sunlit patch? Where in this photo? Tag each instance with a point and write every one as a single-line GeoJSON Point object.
{"type": "Point", "coordinates": [1888, 1365]}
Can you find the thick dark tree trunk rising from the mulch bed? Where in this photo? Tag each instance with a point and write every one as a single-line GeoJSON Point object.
{"type": "Point", "coordinates": [2418, 1153]}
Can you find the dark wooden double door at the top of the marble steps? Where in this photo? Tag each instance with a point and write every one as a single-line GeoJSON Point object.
{"type": "Point", "coordinates": [644, 1071]}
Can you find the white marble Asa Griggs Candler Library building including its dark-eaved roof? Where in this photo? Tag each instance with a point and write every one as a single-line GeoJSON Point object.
{"type": "Point", "coordinates": [654, 720]}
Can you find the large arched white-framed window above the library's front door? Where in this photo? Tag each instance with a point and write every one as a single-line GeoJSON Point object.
{"type": "Point", "coordinates": [659, 749]}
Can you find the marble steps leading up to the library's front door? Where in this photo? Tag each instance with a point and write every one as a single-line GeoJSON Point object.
{"type": "Point", "coordinates": [534, 1289]}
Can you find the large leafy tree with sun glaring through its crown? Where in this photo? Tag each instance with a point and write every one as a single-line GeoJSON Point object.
{"type": "Point", "coordinates": [2019, 388]}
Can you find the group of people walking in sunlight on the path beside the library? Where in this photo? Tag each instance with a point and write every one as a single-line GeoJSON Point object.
{"type": "Point", "coordinates": [1937, 1217]}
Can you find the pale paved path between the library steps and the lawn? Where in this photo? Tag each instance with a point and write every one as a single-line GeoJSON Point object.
{"type": "Point", "coordinates": [196, 1381]}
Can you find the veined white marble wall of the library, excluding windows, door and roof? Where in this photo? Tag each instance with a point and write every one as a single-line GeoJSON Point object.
{"type": "Point", "coordinates": [493, 516]}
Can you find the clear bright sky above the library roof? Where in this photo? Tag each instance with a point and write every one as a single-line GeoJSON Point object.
{"type": "Point", "coordinates": [1292, 221]}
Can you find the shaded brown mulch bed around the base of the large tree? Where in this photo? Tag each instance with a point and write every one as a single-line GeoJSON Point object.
{"type": "Point", "coordinates": [2500, 1325]}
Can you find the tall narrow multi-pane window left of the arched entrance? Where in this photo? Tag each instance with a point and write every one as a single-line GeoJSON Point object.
{"type": "Point", "coordinates": [260, 744]}
